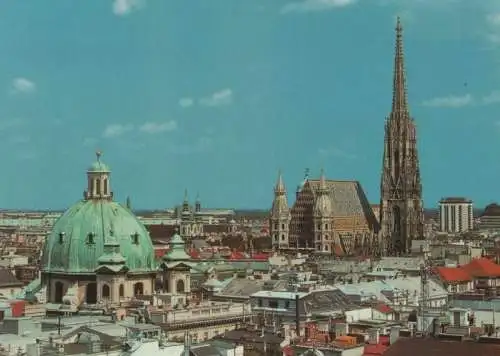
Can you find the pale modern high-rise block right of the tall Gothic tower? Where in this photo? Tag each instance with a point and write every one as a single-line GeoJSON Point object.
{"type": "Point", "coordinates": [455, 214]}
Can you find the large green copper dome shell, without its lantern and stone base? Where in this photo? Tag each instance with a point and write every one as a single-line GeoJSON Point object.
{"type": "Point", "coordinates": [84, 238]}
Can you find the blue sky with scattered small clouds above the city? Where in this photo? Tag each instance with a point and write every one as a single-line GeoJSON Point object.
{"type": "Point", "coordinates": [216, 96]}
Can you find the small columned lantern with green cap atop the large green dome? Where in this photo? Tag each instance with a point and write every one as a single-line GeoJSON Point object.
{"type": "Point", "coordinates": [98, 183]}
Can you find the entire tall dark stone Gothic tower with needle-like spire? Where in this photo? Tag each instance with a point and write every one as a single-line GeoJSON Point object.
{"type": "Point", "coordinates": [401, 207]}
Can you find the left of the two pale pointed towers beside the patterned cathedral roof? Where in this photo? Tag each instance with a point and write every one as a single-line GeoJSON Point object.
{"type": "Point", "coordinates": [279, 220]}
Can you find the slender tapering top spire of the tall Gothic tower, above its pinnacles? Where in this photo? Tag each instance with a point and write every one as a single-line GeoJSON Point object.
{"type": "Point", "coordinates": [399, 94]}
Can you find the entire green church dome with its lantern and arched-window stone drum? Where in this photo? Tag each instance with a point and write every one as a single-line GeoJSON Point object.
{"type": "Point", "coordinates": [98, 251]}
